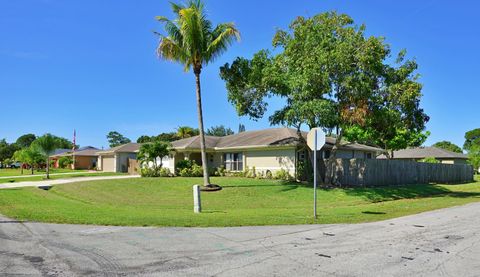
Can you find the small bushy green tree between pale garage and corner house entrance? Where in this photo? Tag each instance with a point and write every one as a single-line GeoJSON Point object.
{"type": "Point", "coordinates": [152, 153]}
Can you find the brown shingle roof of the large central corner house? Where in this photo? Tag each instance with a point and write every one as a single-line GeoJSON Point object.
{"type": "Point", "coordinates": [259, 138]}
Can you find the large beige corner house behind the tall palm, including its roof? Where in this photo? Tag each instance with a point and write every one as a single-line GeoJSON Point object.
{"type": "Point", "coordinates": [266, 150]}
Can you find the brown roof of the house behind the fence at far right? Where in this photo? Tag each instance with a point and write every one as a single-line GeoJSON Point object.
{"type": "Point", "coordinates": [425, 152]}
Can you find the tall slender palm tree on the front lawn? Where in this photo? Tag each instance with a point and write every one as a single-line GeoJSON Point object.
{"type": "Point", "coordinates": [192, 41]}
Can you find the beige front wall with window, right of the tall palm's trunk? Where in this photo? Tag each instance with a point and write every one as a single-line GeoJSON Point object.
{"type": "Point", "coordinates": [272, 160]}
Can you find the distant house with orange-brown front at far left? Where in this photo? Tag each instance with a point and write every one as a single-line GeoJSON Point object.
{"type": "Point", "coordinates": [85, 158]}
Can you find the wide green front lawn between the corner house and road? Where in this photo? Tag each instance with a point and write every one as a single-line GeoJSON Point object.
{"type": "Point", "coordinates": [168, 202]}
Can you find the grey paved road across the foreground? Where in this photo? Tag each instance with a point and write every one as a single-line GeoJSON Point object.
{"type": "Point", "coordinates": [439, 243]}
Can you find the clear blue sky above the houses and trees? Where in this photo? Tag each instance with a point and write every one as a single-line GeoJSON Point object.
{"type": "Point", "coordinates": [91, 65]}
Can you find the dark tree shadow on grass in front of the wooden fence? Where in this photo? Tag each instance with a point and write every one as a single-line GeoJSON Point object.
{"type": "Point", "coordinates": [406, 192]}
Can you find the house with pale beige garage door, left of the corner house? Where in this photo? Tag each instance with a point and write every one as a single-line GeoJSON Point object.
{"type": "Point", "coordinates": [116, 159]}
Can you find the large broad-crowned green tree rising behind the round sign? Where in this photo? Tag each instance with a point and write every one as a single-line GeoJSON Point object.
{"type": "Point", "coordinates": [331, 75]}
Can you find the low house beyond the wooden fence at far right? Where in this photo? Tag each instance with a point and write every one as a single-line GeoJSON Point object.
{"type": "Point", "coordinates": [419, 153]}
